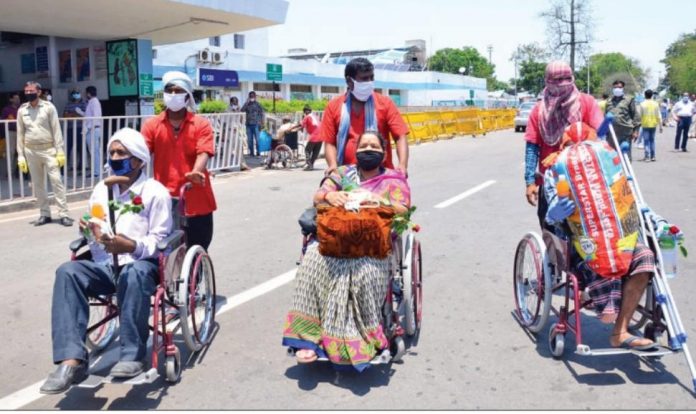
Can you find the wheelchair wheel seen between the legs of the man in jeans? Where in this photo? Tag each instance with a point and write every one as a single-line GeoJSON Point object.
{"type": "Point", "coordinates": [103, 323]}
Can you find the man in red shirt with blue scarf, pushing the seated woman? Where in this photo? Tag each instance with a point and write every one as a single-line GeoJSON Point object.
{"type": "Point", "coordinates": [360, 109]}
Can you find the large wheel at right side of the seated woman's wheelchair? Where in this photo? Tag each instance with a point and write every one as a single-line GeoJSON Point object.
{"type": "Point", "coordinates": [412, 287]}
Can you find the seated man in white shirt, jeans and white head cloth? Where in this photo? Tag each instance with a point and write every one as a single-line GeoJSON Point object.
{"type": "Point", "coordinates": [143, 218]}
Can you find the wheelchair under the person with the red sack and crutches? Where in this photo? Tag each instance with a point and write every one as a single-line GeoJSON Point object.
{"type": "Point", "coordinates": [544, 266]}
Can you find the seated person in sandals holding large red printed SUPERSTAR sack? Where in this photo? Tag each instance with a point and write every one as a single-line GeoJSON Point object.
{"type": "Point", "coordinates": [591, 203]}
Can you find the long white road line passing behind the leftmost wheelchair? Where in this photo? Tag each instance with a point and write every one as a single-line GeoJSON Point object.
{"type": "Point", "coordinates": [29, 394]}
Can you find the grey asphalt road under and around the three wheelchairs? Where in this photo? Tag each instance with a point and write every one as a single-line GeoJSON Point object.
{"type": "Point", "coordinates": [471, 353]}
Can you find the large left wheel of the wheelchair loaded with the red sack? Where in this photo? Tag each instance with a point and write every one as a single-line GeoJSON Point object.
{"type": "Point", "coordinates": [532, 283]}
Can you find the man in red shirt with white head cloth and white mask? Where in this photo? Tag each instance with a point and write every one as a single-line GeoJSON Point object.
{"type": "Point", "coordinates": [182, 142]}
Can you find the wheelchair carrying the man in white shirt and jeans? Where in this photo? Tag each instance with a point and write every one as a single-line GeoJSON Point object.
{"type": "Point", "coordinates": [186, 284]}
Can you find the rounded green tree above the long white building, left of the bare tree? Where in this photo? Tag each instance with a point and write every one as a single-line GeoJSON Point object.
{"type": "Point", "coordinates": [468, 59]}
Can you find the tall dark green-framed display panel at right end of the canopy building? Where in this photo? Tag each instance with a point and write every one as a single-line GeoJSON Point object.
{"type": "Point", "coordinates": [122, 67]}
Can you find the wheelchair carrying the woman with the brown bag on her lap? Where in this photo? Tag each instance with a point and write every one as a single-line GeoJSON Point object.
{"type": "Point", "coordinates": [402, 310]}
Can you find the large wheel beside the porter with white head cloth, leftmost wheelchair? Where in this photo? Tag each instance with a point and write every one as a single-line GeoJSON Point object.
{"type": "Point", "coordinates": [197, 298]}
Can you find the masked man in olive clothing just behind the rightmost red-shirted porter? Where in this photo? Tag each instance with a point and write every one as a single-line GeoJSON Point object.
{"type": "Point", "coordinates": [626, 116]}
